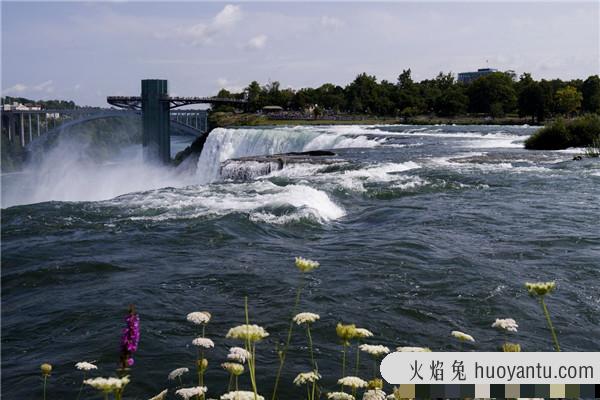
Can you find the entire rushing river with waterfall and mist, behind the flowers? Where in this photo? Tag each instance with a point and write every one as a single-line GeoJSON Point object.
{"type": "Point", "coordinates": [419, 231]}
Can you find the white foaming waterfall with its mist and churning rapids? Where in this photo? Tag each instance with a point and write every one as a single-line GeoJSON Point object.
{"type": "Point", "coordinates": [266, 193]}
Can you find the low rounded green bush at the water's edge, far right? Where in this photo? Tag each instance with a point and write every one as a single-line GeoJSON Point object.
{"type": "Point", "coordinates": [561, 134]}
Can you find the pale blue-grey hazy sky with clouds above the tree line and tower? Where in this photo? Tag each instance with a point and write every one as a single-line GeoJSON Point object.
{"type": "Point", "coordinates": [85, 51]}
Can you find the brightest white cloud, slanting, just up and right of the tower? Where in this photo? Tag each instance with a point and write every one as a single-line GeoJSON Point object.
{"type": "Point", "coordinates": [203, 33]}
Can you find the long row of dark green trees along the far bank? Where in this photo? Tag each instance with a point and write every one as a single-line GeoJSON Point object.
{"type": "Point", "coordinates": [497, 94]}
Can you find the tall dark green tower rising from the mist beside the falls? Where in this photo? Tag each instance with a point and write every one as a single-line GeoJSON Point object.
{"type": "Point", "coordinates": [155, 121]}
